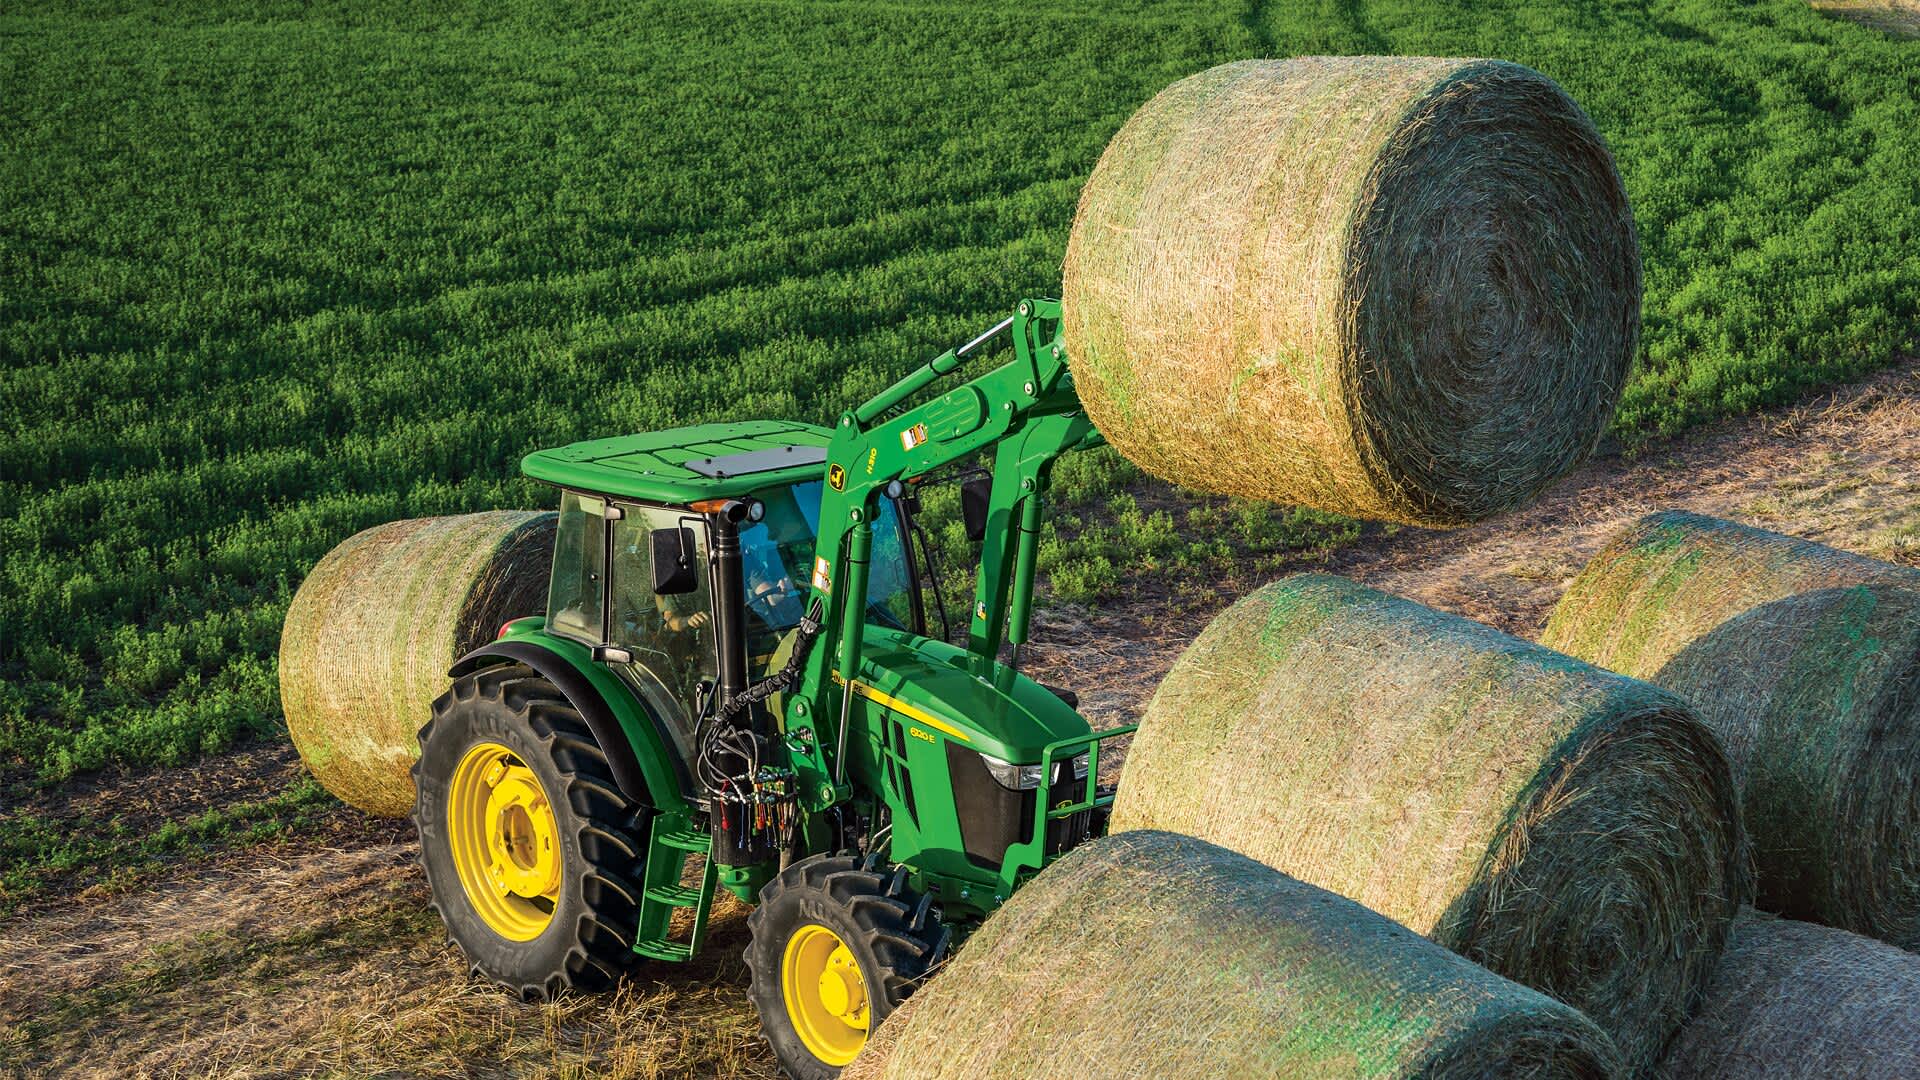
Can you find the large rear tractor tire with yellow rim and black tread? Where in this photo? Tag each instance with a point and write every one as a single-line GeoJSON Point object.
{"type": "Point", "coordinates": [529, 845]}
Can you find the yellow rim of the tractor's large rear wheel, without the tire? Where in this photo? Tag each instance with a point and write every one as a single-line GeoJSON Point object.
{"type": "Point", "coordinates": [506, 845]}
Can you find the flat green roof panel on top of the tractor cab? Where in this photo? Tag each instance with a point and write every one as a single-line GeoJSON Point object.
{"type": "Point", "coordinates": [688, 464]}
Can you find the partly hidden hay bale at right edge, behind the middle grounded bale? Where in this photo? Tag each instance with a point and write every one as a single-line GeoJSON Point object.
{"type": "Point", "coordinates": [1808, 666]}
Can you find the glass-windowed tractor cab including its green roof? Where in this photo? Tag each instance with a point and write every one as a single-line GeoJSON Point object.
{"type": "Point", "coordinates": [631, 570]}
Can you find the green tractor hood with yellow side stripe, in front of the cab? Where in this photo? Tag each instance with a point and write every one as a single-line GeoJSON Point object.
{"type": "Point", "coordinates": [932, 683]}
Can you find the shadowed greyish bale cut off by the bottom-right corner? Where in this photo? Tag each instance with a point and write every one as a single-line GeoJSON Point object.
{"type": "Point", "coordinates": [1802, 1002]}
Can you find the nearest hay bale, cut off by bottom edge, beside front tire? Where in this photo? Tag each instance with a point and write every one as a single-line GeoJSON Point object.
{"type": "Point", "coordinates": [1155, 956]}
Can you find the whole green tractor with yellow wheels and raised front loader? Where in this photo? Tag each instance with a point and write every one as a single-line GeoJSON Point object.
{"type": "Point", "coordinates": [736, 666]}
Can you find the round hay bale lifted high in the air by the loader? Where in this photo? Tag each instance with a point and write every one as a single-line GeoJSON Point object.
{"type": "Point", "coordinates": [1391, 287]}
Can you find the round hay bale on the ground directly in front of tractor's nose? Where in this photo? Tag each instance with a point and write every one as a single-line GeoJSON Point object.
{"type": "Point", "coordinates": [1570, 829]}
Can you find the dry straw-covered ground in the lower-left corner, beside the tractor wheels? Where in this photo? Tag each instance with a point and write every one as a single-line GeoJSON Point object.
{"type": "Point", "coordinates": [331, 964]}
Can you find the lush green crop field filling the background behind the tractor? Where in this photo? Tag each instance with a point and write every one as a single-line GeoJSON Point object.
{"type": "Point", "coordinates": [277, 272]}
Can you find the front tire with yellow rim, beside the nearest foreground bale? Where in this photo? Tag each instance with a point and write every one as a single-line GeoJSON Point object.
{"type": "Point", "coordinates": [836, 946]}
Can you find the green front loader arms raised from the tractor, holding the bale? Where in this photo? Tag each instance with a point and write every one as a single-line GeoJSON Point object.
{"type": "Point", "coordinates": [1028, 414]}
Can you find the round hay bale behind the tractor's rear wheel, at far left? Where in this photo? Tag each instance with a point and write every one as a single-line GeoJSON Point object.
{"type": "Point", "coordinates": [372, 633]}
